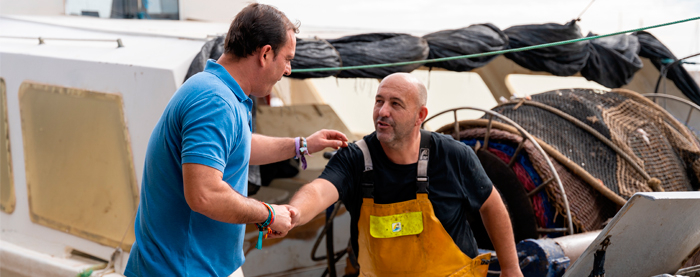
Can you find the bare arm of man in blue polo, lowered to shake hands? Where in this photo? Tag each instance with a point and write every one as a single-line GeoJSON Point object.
{"type": "Point", "coordinates": [208, 194]}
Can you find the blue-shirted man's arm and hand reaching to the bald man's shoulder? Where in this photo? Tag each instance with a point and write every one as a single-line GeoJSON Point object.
{"type": "Point", "coordinates": [265, 150]}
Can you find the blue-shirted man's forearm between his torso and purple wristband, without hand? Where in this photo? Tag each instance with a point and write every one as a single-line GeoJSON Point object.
{"type": "Point", "coordinates": [265, 150]}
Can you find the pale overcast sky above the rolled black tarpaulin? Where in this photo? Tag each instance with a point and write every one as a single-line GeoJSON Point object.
{"type": "Point", "coordinates": [415, 16]}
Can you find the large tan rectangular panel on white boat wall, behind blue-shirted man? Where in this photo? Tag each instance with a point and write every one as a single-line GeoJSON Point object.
{"type": "Point", "coordinates": [79, 166]}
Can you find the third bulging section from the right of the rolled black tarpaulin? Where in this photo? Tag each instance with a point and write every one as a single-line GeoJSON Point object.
{"type": "Point", "coordinates": [562, 60]}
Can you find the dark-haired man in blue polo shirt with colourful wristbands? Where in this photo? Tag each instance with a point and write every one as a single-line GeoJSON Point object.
{"type": "Point", "coordinates": [193, 210]}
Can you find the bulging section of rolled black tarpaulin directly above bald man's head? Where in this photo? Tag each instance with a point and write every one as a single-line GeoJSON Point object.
{"type": "Point", "coordinates": [378, 48]}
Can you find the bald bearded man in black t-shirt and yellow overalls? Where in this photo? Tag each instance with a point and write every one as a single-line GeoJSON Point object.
{"type": "Point", "coordinates": [409, 192]}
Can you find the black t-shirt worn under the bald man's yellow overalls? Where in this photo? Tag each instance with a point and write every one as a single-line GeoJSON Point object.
{"type": "Point", "coordinates": [458, 184]}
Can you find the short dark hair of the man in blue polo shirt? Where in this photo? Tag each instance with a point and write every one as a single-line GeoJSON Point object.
{"type": "Point", "coordinates": [255, 26]}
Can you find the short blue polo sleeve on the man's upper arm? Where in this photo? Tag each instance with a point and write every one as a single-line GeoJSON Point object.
{"type": "Point", "coordinates": [208, 132]}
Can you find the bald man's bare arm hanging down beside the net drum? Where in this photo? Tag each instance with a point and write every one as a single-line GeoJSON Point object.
{"type": "Point", "coordinates": [497, 223]}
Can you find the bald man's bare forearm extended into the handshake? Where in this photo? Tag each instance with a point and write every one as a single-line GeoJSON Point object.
{"type": "Point", "coordinates": [312, 199]}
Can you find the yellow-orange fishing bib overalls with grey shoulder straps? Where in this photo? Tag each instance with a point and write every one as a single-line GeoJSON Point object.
{"type": "Point", "coordinates": [405, 238]}
